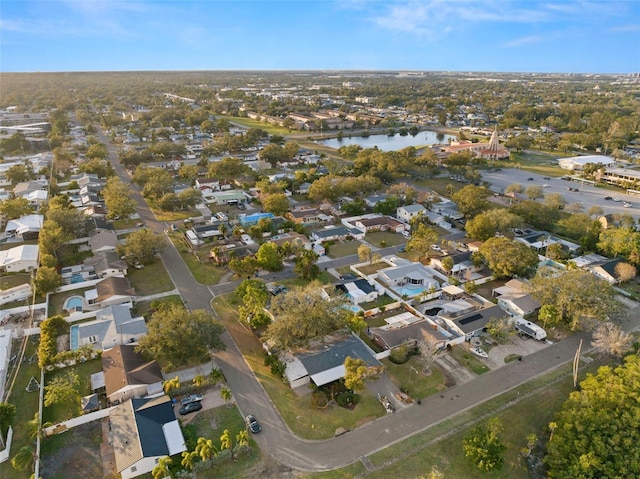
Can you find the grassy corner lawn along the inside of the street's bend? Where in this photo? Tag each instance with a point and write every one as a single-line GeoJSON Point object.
{"type": "Point", "coordinates": [304, 421]}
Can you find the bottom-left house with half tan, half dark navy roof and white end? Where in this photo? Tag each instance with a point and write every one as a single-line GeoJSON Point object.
{"type": "Point", "coordinates": [143, 431]}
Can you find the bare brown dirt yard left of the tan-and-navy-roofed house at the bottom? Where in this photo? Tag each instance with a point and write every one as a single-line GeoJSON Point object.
{"type": "Point", "coordinates": [76, 456]}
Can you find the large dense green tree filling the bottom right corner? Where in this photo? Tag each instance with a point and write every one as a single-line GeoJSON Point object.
{"type": "Point", "coordinates": [597, 431]}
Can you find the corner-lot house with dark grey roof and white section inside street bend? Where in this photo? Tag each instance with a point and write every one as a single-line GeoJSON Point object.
{"type": "Point", "coordinates": [323, 362]}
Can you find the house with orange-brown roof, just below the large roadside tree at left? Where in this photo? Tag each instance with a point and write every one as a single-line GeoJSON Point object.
{"type": "Point", "coordinates": [128, 375]}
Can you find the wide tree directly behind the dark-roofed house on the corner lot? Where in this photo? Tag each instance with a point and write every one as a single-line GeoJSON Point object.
{"type": "Point", "coordinates": [303, 313]}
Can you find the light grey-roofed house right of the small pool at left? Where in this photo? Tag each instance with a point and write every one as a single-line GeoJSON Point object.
{"type": "Point", "coordinates": [113, 326]}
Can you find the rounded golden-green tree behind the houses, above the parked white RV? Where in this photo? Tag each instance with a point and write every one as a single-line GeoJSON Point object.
{"type": "Point", "coordinates": [507, 258]}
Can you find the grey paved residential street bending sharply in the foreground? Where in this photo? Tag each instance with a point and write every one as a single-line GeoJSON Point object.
{"type": "Point", "coordinates": [276, 438]}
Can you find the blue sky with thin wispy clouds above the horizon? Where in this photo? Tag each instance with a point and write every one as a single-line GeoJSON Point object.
{"type": "Point", "coordinates": [459, 35]}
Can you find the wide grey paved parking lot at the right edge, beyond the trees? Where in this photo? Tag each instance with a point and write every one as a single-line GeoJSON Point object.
{"type": "Point", "coordinates": [586, 195]}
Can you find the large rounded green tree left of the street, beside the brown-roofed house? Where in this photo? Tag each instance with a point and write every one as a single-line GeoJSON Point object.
{"type": "Point", "coordinates": [200, 334]}
